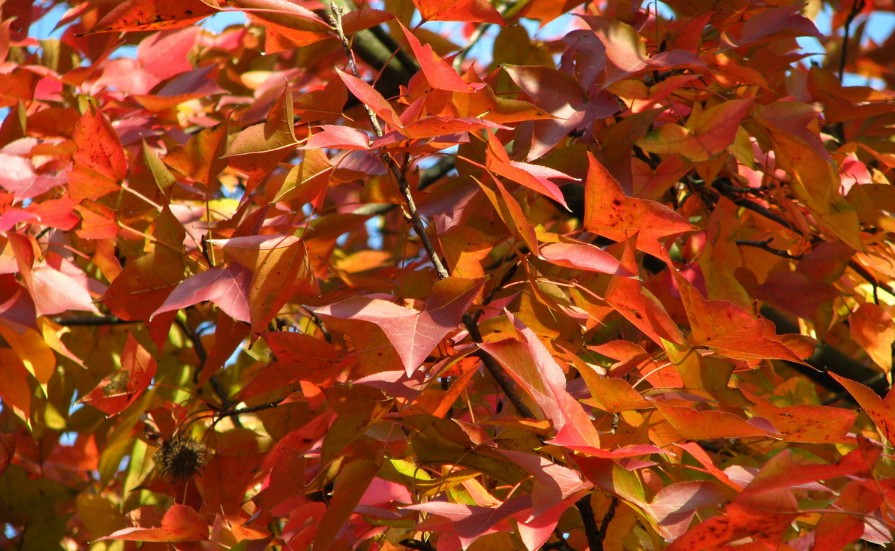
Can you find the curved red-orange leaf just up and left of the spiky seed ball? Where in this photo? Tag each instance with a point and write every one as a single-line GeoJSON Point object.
{"type": "Point", "coordinates": [122, 388]}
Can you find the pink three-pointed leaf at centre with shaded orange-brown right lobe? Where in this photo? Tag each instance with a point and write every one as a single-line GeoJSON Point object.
{"type": "Point", "coordinates": [413, 333]}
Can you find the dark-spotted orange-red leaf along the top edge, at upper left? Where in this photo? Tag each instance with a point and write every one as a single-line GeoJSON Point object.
{"type": "Point", "coordinates": [152, 15]}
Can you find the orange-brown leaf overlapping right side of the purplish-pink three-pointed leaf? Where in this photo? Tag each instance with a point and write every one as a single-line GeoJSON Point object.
{"type": "Point", "coordinates": [280, 269]}
